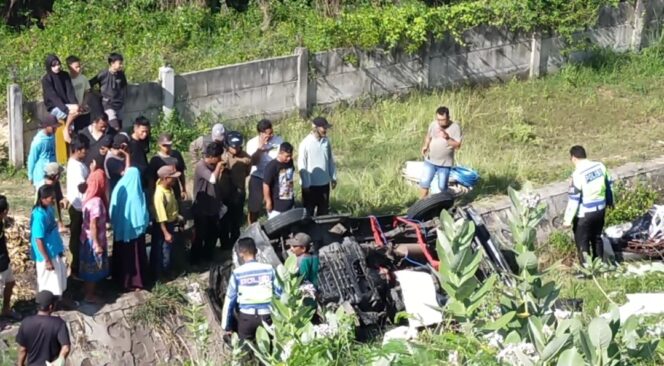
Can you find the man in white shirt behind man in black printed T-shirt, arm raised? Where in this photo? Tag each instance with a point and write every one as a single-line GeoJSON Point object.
{"type": "Point", "coordinates": [262, 149]}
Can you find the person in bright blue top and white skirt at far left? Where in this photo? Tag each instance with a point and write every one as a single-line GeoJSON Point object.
{"type": "Point", "coordinates": [46, 244]}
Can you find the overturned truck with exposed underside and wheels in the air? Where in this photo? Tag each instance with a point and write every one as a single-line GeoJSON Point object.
{"type": "Point", "coordinates": [364, 260]}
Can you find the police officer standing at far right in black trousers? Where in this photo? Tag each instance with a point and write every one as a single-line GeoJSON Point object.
{"type": "Point", "coordinates": [589, 195]}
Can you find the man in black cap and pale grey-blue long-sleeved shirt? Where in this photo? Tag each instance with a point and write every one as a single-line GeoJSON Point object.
{"type": "Point", "coordinates": [317, 169]}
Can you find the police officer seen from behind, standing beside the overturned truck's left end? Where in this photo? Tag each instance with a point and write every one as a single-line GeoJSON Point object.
{"type": "Point", "coordinates": [250, 289]}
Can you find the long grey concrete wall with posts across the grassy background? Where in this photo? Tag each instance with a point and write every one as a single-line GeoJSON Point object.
{"type": "Point", "coordinates": [281, 85]}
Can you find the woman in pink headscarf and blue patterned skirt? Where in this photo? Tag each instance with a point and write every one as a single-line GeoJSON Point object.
{"type": "Point", "coordinates": [93, 266]}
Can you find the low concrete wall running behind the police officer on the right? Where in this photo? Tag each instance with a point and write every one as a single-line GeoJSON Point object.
{"type": "Point", "coordinates": [495, 211]}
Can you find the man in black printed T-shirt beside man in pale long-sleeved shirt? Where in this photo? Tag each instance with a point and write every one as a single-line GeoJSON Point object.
{"type": "Point", "coordinates": [278, 182]}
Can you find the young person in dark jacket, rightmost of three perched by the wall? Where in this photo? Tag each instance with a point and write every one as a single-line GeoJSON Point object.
{"type": "Point", "coordinates": [113, 85]}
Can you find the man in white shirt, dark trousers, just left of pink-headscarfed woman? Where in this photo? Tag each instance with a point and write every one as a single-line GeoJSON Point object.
{"type": "Point", "coordinates": [77, 174]}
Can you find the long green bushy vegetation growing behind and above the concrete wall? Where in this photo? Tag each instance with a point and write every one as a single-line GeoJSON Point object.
{"type": "Point", "coordinates": [190, 37]}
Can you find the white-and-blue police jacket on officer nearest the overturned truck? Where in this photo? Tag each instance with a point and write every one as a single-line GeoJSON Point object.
{"type": "Point", "coordinates": [250, 288]}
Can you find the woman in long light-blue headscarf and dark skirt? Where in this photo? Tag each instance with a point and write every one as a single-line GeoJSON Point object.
{"type": "Point", "coordinates": [129, 219]}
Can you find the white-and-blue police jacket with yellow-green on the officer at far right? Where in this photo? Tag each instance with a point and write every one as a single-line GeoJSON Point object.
{"type": "Point", "coordinates": [589, 191]}
